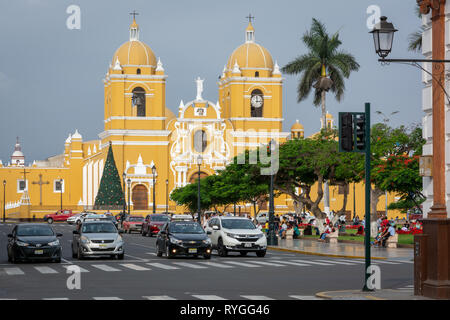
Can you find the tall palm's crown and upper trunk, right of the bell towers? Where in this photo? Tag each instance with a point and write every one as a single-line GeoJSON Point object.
{"type": "Point", "coordinates": [323, 57]}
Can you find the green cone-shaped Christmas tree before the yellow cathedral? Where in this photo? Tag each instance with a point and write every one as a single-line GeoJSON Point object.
{"type": "Point", "coordinates": [110, 192]}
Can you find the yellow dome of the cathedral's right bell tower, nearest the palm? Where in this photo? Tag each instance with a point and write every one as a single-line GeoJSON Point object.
{"type": "Point", "coordinates": [251, 55]}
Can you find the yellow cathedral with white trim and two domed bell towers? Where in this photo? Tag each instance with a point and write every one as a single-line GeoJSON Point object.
{"type": "Point", "coordinates": [144, 133]}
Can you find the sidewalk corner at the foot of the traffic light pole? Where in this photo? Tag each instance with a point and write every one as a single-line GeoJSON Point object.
{"type": "Point", "coordinates": [385, 294]}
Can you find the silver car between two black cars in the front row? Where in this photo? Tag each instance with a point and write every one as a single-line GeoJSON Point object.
{"type": "Point", "coordinates": [97, 238]}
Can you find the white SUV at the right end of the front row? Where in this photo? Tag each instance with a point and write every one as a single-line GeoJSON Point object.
{"type": "Point", "coordinates": [236, 234]}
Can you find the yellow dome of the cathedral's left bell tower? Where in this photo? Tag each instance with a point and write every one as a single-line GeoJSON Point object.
{"type": "Point", "coordinates": [135, 53]}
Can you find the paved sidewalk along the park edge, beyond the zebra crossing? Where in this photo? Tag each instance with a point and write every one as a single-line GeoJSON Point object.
{"type": "Point", "coordinates": [342, 250]}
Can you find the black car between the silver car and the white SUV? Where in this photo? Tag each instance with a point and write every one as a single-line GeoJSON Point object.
{"type": "Point", "coordinates": [183, 238]}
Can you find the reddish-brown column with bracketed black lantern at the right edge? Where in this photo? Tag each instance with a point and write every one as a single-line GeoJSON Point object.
{"type": "Point", "coordinates": [432, 252]}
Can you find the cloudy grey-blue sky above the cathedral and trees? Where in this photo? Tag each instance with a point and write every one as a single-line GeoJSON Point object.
{"type": "Point", "coordinates": [51, 77]}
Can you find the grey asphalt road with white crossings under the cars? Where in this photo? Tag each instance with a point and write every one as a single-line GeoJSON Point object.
{"type": "Point", "coordinates": [142, 275]}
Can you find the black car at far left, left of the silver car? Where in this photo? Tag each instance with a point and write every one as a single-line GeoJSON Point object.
{"type": "Point", "coordinates": [33, 241]}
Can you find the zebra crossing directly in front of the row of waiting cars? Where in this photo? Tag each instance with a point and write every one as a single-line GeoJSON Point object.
{"type": "Point", "coordinates": [139, 266]}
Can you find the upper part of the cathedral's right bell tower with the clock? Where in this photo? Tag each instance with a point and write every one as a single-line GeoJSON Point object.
{"type": "Point", "coordinates": [250, 88]}
